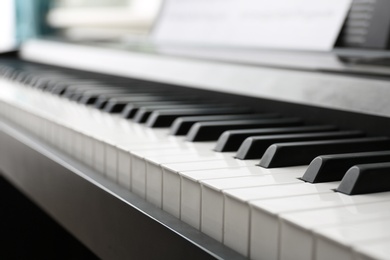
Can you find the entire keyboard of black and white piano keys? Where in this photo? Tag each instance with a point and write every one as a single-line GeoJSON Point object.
{"type": "Point", "coordinates": [237, 175]}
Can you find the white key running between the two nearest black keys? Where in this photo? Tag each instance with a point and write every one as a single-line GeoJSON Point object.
{"type": "Point", "coordinates": [236, 226]}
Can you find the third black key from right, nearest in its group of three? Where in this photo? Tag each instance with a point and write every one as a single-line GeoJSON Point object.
{"type": "Point", "coordinates": [301, 153]}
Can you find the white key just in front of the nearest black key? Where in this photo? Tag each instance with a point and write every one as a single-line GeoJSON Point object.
{"type": "Point", "coordinates": [265, 221]}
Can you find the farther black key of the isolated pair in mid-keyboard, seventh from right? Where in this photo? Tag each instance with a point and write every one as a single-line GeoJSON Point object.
{"type": "Point", "coordinates": [182, 125]}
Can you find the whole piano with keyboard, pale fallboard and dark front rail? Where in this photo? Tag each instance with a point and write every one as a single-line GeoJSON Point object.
{"type": "Point", "coordinates": [181, 153]}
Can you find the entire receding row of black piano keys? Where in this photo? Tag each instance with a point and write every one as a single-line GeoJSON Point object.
{"type": "Point", "coordinates": [277, 141]}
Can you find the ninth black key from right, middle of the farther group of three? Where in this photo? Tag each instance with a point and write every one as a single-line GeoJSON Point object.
{"type": "Point", "coordinates": [143, 113]}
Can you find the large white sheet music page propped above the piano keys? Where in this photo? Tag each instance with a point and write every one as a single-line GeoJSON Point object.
{"type": "Point", "coordinates": [280, 24]}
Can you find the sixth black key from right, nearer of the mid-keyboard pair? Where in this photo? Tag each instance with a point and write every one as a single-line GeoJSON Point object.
{"type": "Point", "coordinates": [209, 131]}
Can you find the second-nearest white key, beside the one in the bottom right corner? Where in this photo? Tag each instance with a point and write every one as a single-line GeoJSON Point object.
{"type": "Point", "coordinates": [338, 242]}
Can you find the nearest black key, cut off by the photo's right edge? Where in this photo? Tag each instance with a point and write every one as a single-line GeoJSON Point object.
{"type": "Point", "coordinates": [366, 178]}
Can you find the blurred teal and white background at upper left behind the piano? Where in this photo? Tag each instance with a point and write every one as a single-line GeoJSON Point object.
{"type": "Point", "coordinates": [75, 19]}
